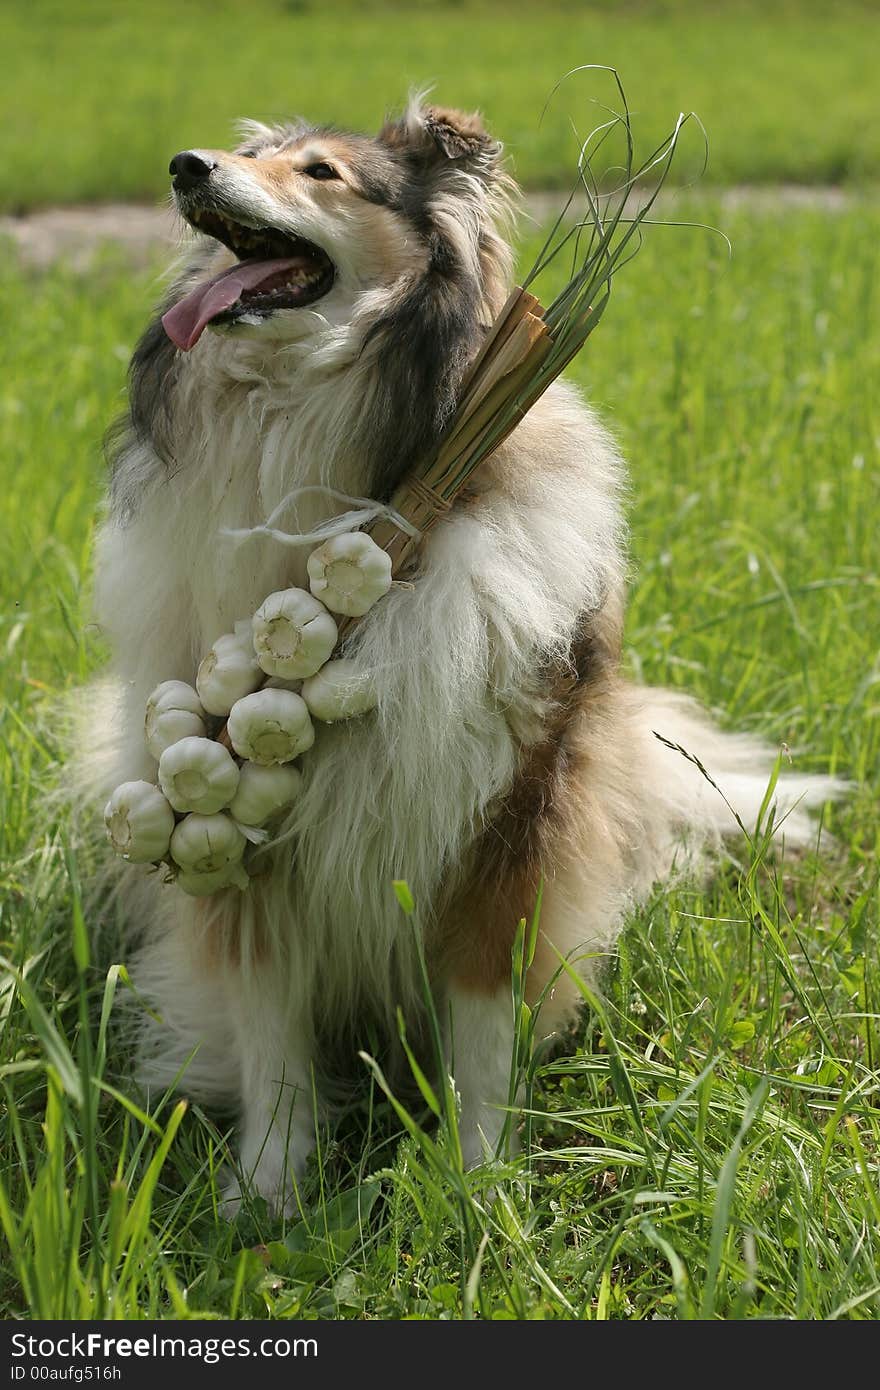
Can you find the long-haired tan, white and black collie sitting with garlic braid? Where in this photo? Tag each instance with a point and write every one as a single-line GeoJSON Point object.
{"type": "Point", "coordinates": [313, 343]}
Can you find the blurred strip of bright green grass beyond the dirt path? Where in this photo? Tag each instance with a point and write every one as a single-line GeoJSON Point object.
{"type": "Point", "coordinates": [785, 90]}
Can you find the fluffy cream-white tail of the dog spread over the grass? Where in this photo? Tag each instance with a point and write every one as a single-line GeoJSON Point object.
{"type": "Point", "coordinates": [703, 786]}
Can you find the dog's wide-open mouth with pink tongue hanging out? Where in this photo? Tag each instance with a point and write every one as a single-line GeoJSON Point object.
{"type": "Point", "coordinates": [275, 272]}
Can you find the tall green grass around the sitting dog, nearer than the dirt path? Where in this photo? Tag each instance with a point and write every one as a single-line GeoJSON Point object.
{"type": "Point", "coordinates": [710, 1145]}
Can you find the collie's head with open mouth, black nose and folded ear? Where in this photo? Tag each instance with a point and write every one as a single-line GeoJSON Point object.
{"type": "Point", "coordinates": [305, 218]}
